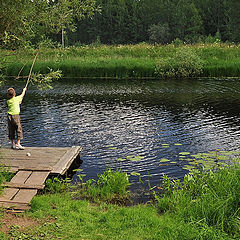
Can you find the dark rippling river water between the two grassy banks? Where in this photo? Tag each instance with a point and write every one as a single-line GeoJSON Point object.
{"type": "Point", "coordinates": [115, 119]}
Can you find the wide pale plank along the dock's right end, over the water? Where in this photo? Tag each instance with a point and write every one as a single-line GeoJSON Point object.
{"type": "Point", "coordinates": [66, 160]}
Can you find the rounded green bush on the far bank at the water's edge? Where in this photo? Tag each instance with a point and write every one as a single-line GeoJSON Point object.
{"type": "Point", "coordinates": [185, 63]}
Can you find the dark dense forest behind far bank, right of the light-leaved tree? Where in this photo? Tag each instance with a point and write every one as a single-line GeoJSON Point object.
{"type": "Point", "coordinates": [161, 21]}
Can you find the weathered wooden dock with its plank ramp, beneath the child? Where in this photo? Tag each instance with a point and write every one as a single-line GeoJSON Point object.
{"type": "Point", "coordinates": [32, 166]}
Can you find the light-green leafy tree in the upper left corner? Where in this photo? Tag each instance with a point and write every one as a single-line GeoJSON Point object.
{"type": "Point", "coordinates": [23, 21]}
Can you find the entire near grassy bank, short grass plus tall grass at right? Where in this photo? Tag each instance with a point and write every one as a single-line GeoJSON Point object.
{"type": "Point", "coordinates": [206, 205]}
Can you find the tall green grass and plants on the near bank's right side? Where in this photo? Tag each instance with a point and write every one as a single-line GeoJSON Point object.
{"type": "Point", "coordinates": [206, 199]}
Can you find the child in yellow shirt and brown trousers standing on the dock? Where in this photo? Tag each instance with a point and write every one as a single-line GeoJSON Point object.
{"type": "Point", "coordinates": [14, 121]}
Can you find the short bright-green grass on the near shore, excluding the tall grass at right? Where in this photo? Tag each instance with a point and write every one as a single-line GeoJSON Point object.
{"type": "Point", "coordinates": [73, 219]}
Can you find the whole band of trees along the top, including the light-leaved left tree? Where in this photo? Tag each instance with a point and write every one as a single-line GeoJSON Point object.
{"type": "Point", "coordinates": [76, 22]}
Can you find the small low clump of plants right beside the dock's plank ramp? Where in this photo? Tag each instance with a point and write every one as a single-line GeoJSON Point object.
{"type": "Point", "coordinates": [56, 185]}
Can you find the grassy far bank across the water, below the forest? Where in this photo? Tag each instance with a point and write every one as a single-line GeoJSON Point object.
{"type": "Point", "coordinates": [128, 61]}
